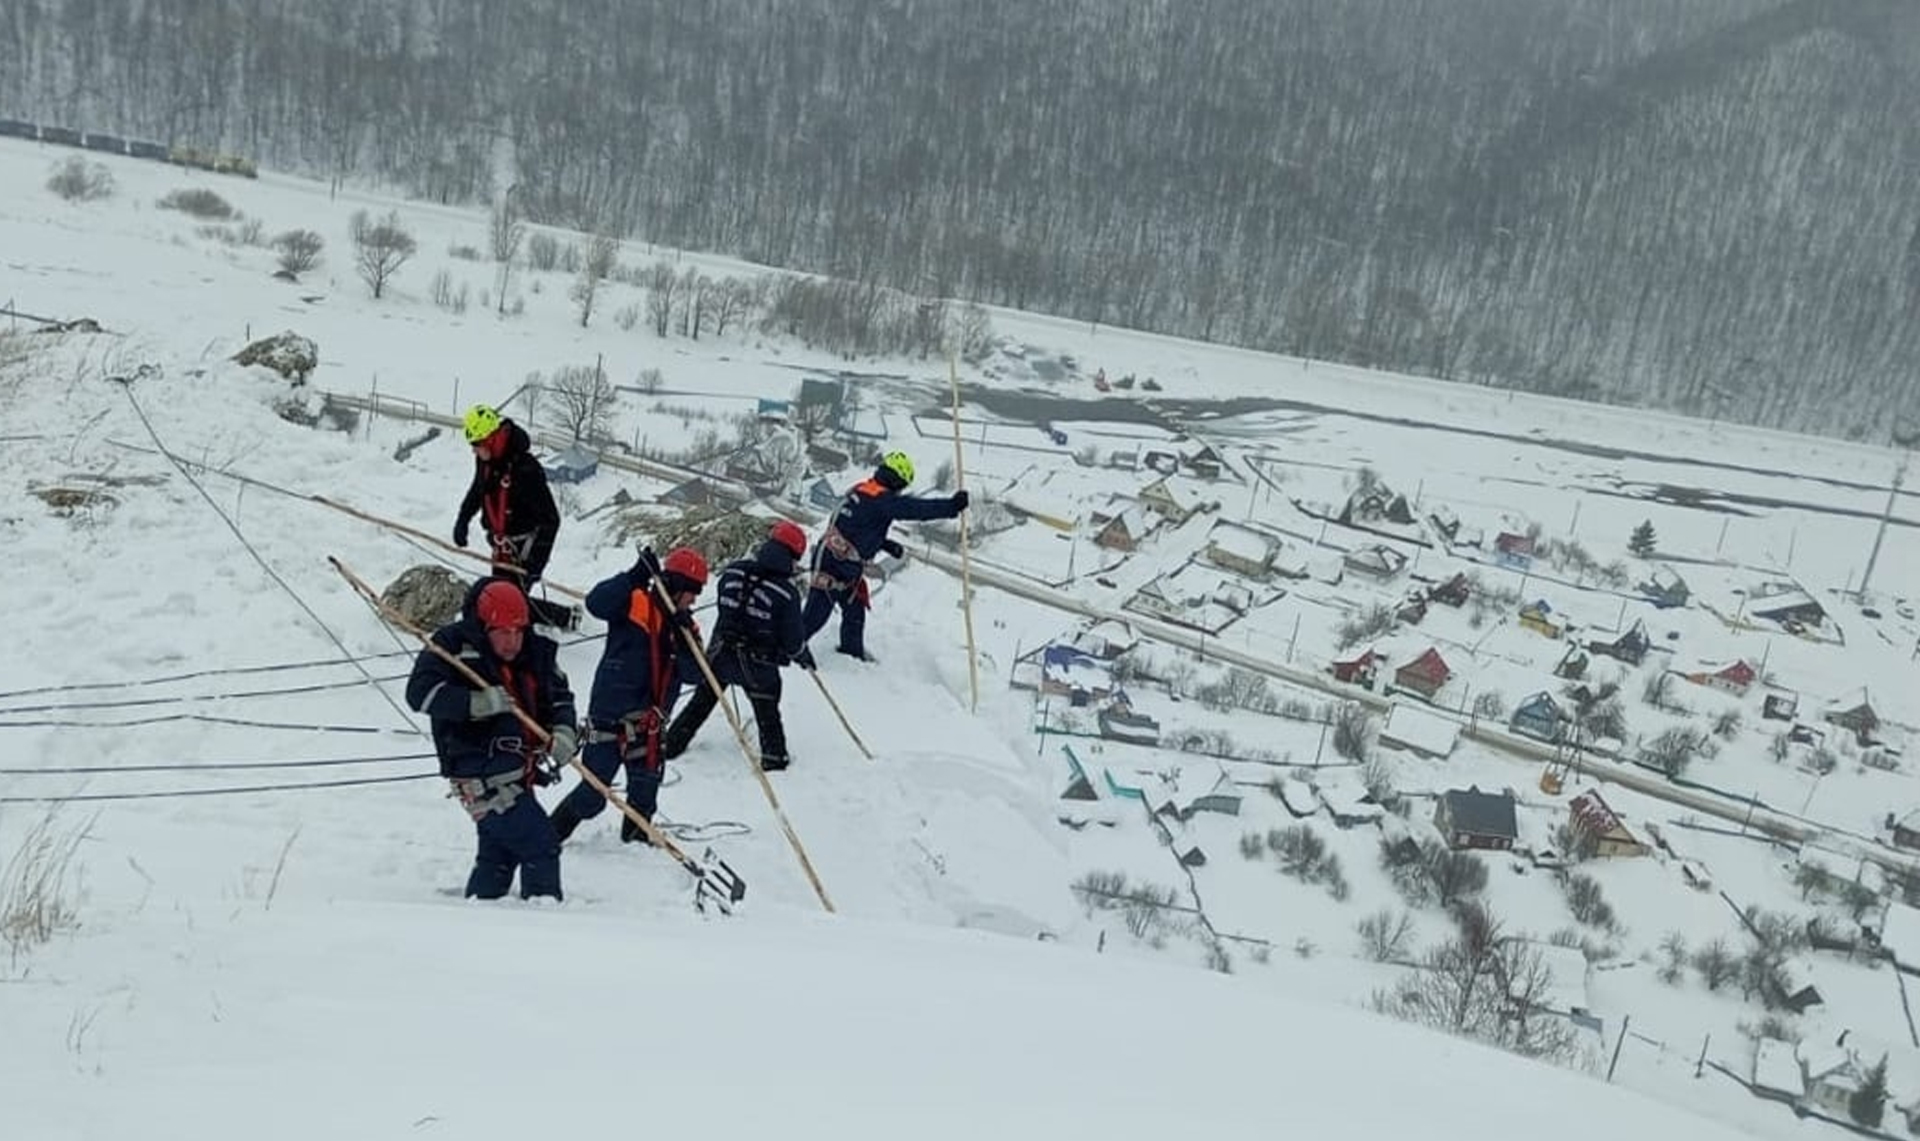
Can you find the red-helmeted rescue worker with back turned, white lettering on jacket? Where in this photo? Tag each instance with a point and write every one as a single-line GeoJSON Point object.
{"type": "Point", "coordinates": [757, 631]}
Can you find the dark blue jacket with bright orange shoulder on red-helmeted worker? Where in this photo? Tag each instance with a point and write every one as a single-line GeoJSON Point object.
{"type": "Point", "coordinates": [646, 660]}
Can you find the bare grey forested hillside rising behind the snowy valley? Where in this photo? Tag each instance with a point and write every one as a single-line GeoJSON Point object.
{"type": "Point", "coordinates": [1698, 205]}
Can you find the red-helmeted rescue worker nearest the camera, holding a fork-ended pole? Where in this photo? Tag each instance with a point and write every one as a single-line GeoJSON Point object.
{"type": "Point", "coordinates": [489, 756]}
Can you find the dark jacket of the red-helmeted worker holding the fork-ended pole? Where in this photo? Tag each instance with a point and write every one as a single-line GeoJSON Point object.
{"type": "Point", "coordinates": [498, 744]}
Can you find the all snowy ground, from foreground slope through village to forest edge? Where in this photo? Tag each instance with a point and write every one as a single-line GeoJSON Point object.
{"type": "Point", "coordinates": [210, 717]}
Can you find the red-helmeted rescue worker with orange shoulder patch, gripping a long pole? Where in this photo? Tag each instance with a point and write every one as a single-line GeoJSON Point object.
{"type": "Point", "coordinates": [638, 679]}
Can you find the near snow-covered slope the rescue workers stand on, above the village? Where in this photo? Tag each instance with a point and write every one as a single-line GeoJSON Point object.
{"type": "Point", "coordinates": [264, 935]}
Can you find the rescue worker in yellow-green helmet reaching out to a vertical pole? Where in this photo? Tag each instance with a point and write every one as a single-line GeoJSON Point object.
{"type": "Point", "coordinates": [857, 535]}
